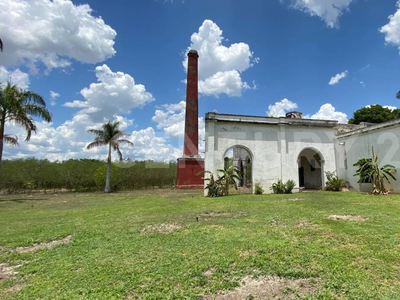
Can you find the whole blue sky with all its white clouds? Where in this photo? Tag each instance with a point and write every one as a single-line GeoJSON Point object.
{"type": "Point", "coordinates": [256, 58]}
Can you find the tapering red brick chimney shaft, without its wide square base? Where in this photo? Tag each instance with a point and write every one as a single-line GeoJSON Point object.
{"type": "Point", "coordinates": [191, 143]}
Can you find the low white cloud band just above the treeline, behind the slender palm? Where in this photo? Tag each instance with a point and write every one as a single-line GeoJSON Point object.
{"type": "Point", "coordinates": [69, 140]}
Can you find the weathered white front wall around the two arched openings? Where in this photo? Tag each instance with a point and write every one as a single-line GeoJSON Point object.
{"type": "Point", "coordinates": [275, 148]}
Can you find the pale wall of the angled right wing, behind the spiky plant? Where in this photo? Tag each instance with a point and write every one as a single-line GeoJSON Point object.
{"type": "Point", "coordinates": [354, 146]}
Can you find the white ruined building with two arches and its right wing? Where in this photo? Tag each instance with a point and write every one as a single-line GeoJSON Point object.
{"type": "Point", "coordinates": [268, 149]}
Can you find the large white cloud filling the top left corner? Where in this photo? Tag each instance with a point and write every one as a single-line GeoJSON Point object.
{"type": "Point", "coordinates": [53, 33]}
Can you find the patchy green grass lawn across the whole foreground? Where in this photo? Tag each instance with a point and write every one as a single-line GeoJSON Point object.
{"type": "Point", "coordinates": [116, 251]}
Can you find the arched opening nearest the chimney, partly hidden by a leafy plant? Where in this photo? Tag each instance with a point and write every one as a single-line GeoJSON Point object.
{"type": "Point", "coordinates": [241, 158]}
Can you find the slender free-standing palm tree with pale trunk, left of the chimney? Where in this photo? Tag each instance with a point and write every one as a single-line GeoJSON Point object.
{"type": "Point", "coordinates": [110, 135]}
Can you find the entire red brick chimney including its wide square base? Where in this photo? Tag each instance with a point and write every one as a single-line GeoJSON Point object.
{"type": "Point", "coordinates": [191, 164]}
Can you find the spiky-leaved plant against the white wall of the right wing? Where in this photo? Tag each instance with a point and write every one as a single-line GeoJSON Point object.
{"type": "Point", "coordinates": [369, 171]}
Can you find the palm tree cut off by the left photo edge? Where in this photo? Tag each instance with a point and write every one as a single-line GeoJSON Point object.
{"type": "Point", "coordinates": [19, 107]}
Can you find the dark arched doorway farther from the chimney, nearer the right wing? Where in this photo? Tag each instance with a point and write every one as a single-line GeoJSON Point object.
{"type": "Point", "coordinates": [311, 173]}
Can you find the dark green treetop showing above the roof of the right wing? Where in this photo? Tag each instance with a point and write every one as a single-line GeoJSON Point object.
{"type": "Point", "coordinates": [374, 114]}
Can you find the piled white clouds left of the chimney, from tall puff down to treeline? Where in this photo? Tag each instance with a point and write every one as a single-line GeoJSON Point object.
{"type": "Point", "coordinates": [115, 93]}
